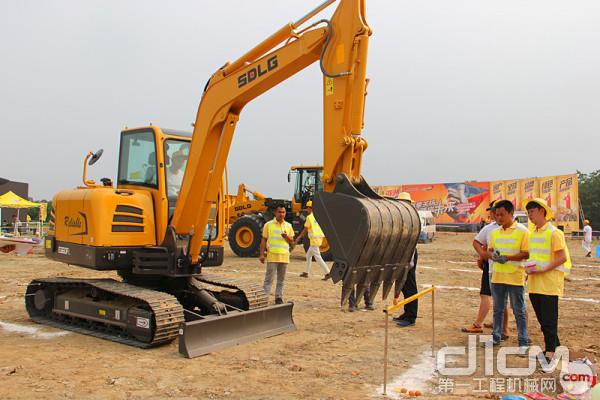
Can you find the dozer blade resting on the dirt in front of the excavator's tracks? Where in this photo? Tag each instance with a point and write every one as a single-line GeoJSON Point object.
{"type": "Point", "coordinates": [214, 333]}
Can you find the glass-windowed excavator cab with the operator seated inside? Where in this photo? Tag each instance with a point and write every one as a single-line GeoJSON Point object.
{"type": "Point", "coordinates": [154, 160]}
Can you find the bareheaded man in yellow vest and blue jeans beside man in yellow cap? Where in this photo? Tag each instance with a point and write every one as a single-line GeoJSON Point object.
{"type": "Point", "coordinates": [507, 248]}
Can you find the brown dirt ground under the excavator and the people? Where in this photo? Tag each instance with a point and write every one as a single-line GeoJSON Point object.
{"type": "Point", "coordinates": [333, 354]}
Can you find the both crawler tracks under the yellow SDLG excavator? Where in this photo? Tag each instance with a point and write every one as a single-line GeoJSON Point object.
{"type": "Point", "coordinates": [163, 310]}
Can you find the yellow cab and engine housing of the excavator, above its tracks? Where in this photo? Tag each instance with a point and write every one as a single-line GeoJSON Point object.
{"type": "Point", "coordinates": [102, 227]}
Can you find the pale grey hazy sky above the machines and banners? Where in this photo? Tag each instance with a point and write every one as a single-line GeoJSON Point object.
{"type": "Point", "coordinates": [459, 90]}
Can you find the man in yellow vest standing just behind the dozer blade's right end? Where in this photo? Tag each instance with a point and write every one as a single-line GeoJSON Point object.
{"type": "Point", "coordinates": [277, 237]}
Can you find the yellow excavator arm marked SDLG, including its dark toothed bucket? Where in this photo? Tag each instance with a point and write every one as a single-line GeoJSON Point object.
{"type": "Point", "coordinates": [380, 248]}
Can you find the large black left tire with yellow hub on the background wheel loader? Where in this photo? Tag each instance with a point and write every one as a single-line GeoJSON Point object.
{"type": "Point", "coordinates": [245, 235]}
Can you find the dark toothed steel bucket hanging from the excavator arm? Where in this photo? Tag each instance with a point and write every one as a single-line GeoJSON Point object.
{"type": "Point", "coordinates": [372, 238]}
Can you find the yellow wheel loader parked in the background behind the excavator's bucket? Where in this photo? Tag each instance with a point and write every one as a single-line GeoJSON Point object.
{"type": "Point", "coordinates": [247, 215]}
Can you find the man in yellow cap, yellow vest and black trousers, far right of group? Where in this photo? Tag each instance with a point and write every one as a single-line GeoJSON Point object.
{"type": "Point", "coordinates": [548, 263]}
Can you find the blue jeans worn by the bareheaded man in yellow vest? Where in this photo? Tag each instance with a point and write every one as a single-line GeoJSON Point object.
{"type": "Point", "coordinates": [500, 293]}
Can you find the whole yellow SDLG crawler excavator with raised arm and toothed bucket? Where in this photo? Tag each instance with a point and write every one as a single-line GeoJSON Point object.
{"type": "Point", "coordinates": [153, 226]}
